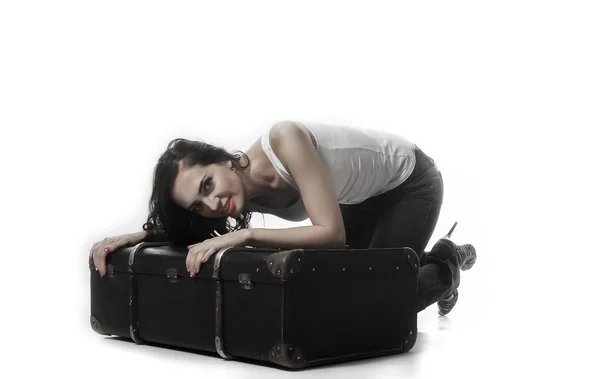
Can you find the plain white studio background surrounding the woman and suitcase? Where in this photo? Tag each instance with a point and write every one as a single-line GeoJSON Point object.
{"type": "Point", "coordinates": [504, 96]}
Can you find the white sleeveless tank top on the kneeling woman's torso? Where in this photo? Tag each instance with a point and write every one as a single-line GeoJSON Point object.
{"type": "Point", "coordinates": [362, 163]}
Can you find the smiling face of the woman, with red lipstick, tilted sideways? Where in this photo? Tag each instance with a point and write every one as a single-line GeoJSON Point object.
{"type": "Point", "coordinates": [212, 191]}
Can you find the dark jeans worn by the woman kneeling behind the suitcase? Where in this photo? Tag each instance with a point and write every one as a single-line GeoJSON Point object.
{"type": "Point", "coordinates": [406, 217]}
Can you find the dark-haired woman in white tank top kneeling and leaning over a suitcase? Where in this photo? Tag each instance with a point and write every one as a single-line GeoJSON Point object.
{"type": "Point", "coordinates": [359, 187]}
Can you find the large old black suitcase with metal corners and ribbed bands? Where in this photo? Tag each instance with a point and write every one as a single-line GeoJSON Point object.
{"type": "Point", "coordinates": [292, 308]}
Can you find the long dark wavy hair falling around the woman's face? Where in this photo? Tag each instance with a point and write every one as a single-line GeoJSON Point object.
{"type": "Point", "coordinates": [169, 220]}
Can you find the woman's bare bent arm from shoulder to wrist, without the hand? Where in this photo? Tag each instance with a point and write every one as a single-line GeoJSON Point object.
{"type": "Point", "coordinates": [292, 143]}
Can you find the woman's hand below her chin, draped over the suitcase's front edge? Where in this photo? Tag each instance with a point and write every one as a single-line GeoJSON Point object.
{"type": "Point", "coordinates": [200, 252]}
